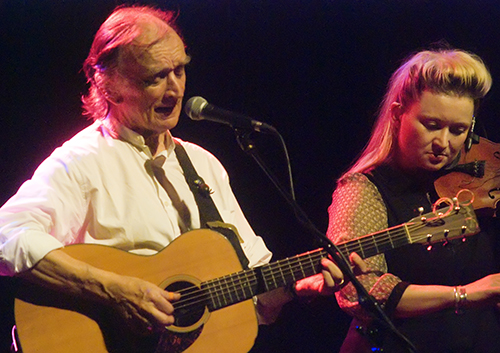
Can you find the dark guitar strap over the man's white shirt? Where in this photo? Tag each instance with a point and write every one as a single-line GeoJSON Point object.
{"type": "Point", "coordinates": [209, 215]}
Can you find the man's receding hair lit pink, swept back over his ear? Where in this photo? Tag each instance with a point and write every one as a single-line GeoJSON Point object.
{"type": "Point", "coordinates": [118, 32]}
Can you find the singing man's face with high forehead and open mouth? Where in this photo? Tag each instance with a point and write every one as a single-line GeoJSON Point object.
{"type": "Point", "coordinates": [151, 83]}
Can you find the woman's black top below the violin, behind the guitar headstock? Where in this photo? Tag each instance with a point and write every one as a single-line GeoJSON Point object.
{"type": "Point", "coordinates": [457, 263]}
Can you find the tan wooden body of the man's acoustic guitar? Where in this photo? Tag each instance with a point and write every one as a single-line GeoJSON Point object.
{"type": "Point", "coordinates": [50, 322]}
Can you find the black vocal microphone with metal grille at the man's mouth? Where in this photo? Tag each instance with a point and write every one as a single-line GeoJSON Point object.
{"type": "Point", "coordinates": [197, 108]}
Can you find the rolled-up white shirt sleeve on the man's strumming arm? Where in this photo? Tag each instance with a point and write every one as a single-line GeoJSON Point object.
{"type": "Point", "coordinates": [39, 218]}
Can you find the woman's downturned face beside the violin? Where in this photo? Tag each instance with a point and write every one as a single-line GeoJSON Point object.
{"type": "Point", "coordinates": [432, 131]}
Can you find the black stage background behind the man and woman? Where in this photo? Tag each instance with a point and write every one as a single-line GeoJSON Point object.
{"type": "Point", "coordinates": [314, 69]}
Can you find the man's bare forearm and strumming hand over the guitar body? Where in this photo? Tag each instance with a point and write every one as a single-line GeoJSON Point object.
{"type": "Point", "coordinates": [144, 306]}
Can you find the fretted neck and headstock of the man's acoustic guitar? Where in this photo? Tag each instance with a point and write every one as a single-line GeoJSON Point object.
{"type": "Point", "coordinates": [428, 229]}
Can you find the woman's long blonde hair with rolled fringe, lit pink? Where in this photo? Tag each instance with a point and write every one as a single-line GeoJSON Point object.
{"type": "Point", "coordinates": [448, 71]}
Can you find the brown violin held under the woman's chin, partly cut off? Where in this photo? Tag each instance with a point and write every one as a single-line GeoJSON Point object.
{"type": "Point", "coordinates": [478, 170]}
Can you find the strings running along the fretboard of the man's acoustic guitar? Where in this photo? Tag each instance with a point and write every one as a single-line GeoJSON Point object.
{"type": "Point", "coordinates": [220, 291]}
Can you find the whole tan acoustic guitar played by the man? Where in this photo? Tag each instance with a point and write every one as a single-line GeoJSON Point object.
{"type": "Point", "coordinates": [215, 312]}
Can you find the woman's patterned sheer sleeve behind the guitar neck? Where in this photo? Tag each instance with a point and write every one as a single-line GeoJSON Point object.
{"type": "Point", "coordinates": [357, 209]}
